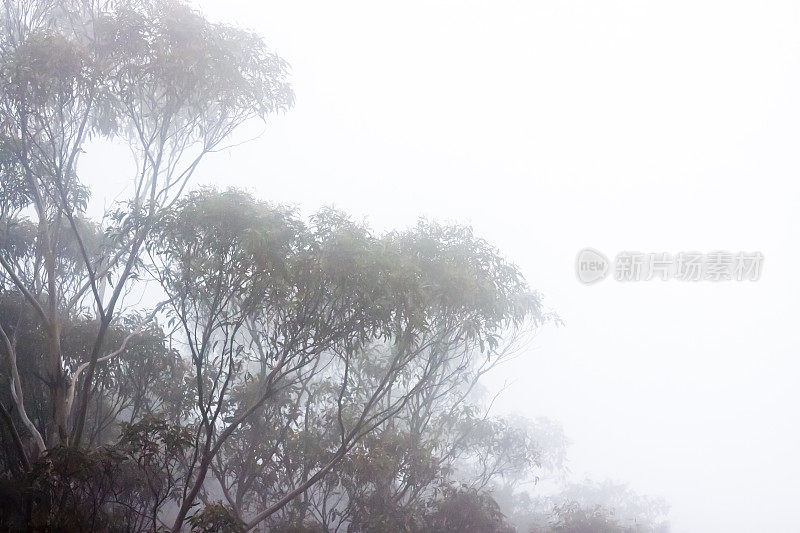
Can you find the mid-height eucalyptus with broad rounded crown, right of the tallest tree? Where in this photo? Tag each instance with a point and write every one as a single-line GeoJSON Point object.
{"type": "Point", "coordinates": [284, 319]}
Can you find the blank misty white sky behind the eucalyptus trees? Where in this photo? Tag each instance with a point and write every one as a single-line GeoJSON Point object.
{"type": "Point", "coordinates": [552, 126]}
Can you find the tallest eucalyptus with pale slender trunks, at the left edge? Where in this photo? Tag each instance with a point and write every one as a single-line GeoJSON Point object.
{"type": "Point", "coordinates": [154, 74]}
